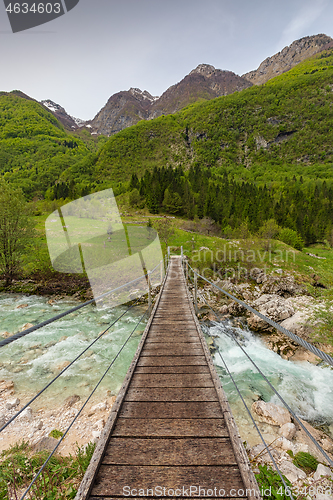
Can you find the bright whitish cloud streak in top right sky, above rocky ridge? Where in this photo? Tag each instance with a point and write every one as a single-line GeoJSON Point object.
{"type": "Point", "coordinates": [299, 25]}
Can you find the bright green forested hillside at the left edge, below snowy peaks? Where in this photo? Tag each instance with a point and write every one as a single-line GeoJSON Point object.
{"type": "Point", "coordinates": [35, 149]}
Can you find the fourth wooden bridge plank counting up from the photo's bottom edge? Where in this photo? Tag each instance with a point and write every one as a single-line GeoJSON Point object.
{"type": "Point", "coordinates": [170, 410]}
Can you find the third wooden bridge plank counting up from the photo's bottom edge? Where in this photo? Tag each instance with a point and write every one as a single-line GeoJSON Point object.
{"type": "Point", "coordinates": [160, 427]}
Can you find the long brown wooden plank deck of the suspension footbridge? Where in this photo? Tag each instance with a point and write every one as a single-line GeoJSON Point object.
{"type": "Point", "coordinates": [171, 426]}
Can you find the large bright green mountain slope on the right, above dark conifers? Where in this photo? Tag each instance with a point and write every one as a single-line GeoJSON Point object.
{"type": "Point", "coordinates": [264, 133]}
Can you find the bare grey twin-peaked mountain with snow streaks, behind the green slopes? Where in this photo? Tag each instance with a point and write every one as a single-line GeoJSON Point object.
{"type": "Point", "coordinates": [126, 108]}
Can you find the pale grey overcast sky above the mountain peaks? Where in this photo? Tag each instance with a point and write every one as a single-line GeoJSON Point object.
{"type": "Point", "coordinates": [103, 46]}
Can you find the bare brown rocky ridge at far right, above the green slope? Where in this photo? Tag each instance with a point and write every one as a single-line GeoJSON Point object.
{"type": "Point", "coordinates": [289, 57]}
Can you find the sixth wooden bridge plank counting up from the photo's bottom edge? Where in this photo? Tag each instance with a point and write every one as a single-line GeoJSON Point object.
{"type": "Point", "coordinates": [171, 380]}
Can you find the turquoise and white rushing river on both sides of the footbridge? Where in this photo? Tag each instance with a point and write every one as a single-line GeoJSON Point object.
{"type": "Point", "coordinates": [36, 359]}
